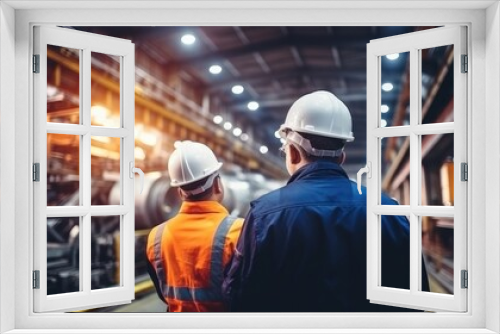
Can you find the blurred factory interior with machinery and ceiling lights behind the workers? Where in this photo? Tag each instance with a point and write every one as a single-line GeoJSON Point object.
{"type": "Point", "coordinates": [230, 88]}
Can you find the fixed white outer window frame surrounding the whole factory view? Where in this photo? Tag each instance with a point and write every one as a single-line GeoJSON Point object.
{"type": "Point", "coordinates": [484, 103]}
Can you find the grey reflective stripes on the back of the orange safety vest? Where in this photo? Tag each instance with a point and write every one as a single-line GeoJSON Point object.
{"type": "Point", "coordinates": [213, 291]}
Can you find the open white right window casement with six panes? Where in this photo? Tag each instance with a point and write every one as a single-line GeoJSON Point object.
{"type": "Point", "coordinates": [413, 43]}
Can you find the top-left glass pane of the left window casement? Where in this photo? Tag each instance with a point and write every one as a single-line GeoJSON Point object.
{"type": "Point", "coordinates": [63, 85]}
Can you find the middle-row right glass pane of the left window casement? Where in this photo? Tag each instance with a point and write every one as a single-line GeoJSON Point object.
{"type": "Point", "coordinates": [105, 167]}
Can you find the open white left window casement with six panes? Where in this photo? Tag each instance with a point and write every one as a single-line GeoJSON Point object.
{"type": "Point", "coordinates": [86, 43]}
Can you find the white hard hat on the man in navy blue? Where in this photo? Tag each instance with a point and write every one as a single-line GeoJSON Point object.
{"type": "Point", "coordinates": [320, 113]}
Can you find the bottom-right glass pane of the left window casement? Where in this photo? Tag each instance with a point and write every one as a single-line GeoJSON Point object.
{"type": "Point", "coordinates": [105, 252]}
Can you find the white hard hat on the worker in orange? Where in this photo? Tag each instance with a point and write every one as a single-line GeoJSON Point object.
{"type": "Point", "coordinates": [191, 162]}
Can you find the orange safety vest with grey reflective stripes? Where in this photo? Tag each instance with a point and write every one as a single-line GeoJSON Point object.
{"type": "Point", "coordinates": [189, 253]}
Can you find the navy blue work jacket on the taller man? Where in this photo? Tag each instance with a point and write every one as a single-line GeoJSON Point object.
{"type": "Point", "coordinates": [303, 248]}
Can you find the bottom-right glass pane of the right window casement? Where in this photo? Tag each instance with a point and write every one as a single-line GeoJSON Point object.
{"type": "Point", "coordinates": [437, 251]}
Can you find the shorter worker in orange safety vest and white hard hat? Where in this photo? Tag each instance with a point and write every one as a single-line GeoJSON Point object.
{"type": "Point", "coordinates": [188, 253]}
